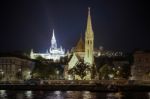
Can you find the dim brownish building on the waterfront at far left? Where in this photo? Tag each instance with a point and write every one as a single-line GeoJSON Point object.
{"type": "Point", "coordinates": [14, 68]}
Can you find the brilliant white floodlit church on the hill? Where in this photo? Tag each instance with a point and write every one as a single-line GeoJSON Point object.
{"type": "Point", "coordinates": [53, 53]}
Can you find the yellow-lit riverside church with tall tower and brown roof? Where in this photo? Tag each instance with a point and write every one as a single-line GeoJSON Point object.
{"type": "Point", "coordinates": [82, 51]}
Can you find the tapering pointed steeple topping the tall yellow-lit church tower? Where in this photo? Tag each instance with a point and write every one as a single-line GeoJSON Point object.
{"type": "Point", "coordinates": [89, 30]}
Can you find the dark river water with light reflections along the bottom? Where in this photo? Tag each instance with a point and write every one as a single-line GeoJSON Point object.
{"type": "Point", "coordinates": [6, 94]}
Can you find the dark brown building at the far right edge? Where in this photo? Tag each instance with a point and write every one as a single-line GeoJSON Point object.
{"type": "Point", "coordinates": [140, 69]}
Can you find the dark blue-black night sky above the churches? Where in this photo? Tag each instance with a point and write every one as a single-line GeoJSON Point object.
{"type": "Point", "coordinates": [117, 24]}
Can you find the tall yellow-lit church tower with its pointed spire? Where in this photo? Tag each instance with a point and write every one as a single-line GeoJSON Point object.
{"type": "Point", "coordinates": [89, 41]}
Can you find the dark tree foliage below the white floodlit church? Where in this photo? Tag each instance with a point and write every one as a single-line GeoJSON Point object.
{"type": "Point", "coordinates": [46, 69]}
